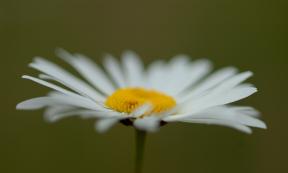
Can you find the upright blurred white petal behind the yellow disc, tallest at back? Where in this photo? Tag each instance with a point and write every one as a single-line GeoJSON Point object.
{"type": "Point", "coordinates": [133, 69]}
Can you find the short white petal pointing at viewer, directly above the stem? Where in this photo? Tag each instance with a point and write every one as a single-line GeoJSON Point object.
{"type": "Point", "coordinates": [150, 123]}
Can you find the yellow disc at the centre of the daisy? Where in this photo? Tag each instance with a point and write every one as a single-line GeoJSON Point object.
{"type": "Point", "coordinates": [128, 99]}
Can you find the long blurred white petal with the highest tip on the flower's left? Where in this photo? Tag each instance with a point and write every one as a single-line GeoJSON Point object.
{"type": "Point", "coordinates": [89, 70]}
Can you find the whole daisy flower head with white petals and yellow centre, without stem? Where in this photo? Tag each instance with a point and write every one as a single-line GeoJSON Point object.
{"type": "Point", "coordinates": [126, 92]}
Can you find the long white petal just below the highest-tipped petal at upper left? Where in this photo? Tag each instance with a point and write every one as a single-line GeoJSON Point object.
{"type": "Point", "coordinates": [66, 78]}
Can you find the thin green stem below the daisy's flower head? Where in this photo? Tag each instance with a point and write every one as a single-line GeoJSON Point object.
{"type": "Point", "coordinates": [139, 154]}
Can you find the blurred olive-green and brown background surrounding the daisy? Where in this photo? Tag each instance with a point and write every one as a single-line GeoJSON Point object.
{"type": "Point", "coordinates": [250, 34]}
